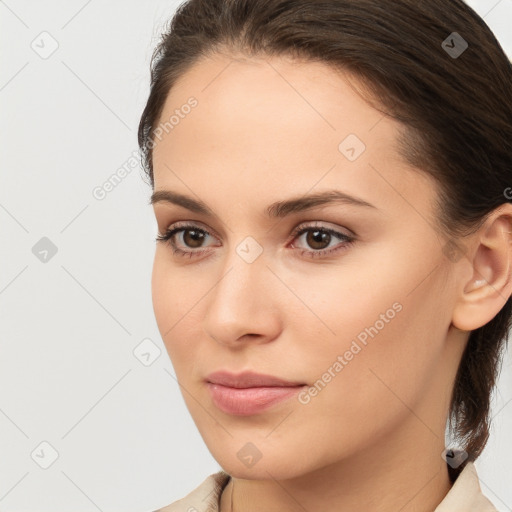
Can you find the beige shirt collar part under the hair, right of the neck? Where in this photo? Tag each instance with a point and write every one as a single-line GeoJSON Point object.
{"type": "Point", "coordinates": [466, 494]}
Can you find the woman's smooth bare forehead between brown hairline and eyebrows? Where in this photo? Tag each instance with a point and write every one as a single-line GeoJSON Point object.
{"type": "Point", "coordinates": [275, 124]}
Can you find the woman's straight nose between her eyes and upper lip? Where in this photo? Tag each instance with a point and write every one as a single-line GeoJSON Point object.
{"type": "Point", "coordinates": [242, 306]}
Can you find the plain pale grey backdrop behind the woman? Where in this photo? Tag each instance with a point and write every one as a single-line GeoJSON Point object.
{"type": "Point", "coordinates": [70, 326]}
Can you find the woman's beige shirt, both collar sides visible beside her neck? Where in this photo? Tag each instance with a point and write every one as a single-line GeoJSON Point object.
{"type": "Point", "coordinates": [465, 495]}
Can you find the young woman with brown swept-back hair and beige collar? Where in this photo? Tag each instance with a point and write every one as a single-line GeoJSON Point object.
{"type": "Point", "coordinates": [333, 268]}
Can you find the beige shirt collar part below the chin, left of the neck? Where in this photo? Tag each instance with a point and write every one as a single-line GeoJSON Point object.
{"type": "Point", "coordinates": [204, 498]}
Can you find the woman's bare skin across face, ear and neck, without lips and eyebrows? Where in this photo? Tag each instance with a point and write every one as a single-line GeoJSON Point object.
{"type": "Point", "coordinates": [265, 130]}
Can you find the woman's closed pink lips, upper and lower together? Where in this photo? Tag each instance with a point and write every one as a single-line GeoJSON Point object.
{"type": "Point", "coordinates": [249, 393]}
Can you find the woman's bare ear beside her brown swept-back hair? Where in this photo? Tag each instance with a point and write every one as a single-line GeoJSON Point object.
{"type": "Point", "coordinates": [490, 265]}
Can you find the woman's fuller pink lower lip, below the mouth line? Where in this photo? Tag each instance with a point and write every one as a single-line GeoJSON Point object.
{"type": "Point", "coordinates": [247, 401]}
